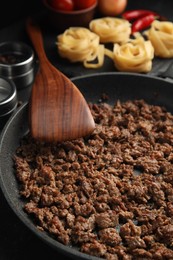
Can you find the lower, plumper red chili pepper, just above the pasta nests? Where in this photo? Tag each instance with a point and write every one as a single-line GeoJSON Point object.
{"type": "Point", "coordinates": [143, 23]}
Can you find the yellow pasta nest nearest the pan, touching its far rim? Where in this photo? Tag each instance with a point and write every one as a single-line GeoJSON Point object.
{"type": "Point", "coordinates": [134, 56]}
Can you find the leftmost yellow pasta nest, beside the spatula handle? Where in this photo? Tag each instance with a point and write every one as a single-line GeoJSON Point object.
{"type": "Point", "coordinates": [79, 44]}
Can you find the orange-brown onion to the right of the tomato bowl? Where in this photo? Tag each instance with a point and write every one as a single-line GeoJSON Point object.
{"type": "Point", "coordinates": [112, 7]}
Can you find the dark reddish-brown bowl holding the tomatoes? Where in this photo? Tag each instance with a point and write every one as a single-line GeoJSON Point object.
{"type": "Point", "coordinates": [62, 20]}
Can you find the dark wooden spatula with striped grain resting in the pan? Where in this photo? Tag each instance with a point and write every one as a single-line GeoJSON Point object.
{"type": "Point", "coordinates": [57, 109]}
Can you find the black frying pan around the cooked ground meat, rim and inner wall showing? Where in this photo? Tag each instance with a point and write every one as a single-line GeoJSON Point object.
{"type": "Point", "coordinates": [122, 86]}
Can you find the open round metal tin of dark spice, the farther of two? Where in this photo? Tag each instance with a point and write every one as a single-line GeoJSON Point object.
{"type": "Point", "coordinates": [17, 62]}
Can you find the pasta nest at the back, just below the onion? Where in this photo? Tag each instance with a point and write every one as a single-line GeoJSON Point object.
{"type": "Point", "coordinates": [111, 30]}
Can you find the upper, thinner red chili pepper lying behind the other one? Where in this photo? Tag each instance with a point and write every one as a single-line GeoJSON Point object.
{"type": "Point", "coordinates": [138, 13]}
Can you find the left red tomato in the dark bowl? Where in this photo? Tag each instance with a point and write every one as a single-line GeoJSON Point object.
{"type": "Point", "coordinates": [62, 5]}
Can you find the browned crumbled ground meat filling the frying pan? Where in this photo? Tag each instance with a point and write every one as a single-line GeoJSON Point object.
{"type": "Point", "coordinates": [111, 193]}
